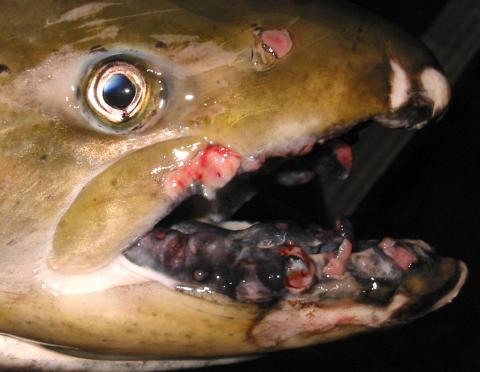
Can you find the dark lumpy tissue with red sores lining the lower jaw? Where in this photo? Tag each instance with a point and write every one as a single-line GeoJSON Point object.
{"type": "Point", "coordinates": [265, 263]}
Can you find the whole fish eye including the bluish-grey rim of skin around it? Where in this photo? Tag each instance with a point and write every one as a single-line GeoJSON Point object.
{"type": "Point", "coordinates": [123, 92]}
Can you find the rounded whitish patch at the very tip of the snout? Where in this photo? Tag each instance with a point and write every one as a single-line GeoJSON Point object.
{"type": "Point", "coordinates": [436, 88]}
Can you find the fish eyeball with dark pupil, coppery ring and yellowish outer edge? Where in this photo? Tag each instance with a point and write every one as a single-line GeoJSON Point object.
{"type": "Point", "coordinates": [123, 93]}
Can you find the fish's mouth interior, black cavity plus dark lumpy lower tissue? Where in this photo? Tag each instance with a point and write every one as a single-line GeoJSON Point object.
{"type": "Point", "coordinates": [200, 249]}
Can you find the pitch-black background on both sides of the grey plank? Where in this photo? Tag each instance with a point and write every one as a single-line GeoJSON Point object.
{"type": "Point", "coordinates": [429, 192]}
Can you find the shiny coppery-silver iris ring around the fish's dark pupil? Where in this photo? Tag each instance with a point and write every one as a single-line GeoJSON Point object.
{"type": "Point", "coordinates": [97, 85]}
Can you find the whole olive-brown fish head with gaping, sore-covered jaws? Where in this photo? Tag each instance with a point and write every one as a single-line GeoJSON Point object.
{"type": "Point", "coordinates": [113, 114]}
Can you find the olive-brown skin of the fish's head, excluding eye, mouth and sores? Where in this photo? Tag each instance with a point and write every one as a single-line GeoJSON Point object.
{"type": "Point", "coordinates": [336, 75]}
